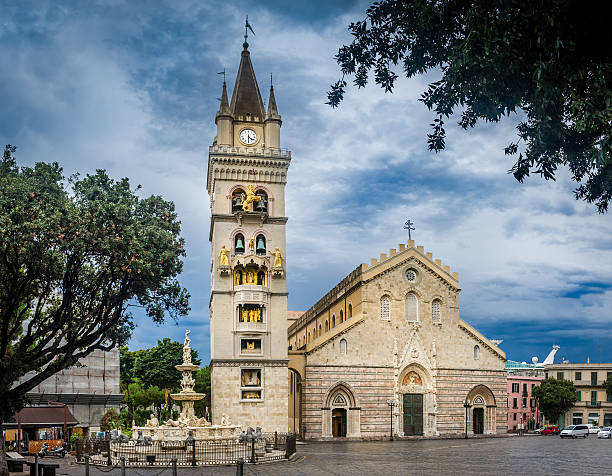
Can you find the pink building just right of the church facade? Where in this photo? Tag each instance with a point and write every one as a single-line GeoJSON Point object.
{"type": "Point", "coordinates": [523, 411]}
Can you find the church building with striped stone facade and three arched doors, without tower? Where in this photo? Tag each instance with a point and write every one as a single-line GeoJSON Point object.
{"type": "Point", "coordinates": [391, 332]}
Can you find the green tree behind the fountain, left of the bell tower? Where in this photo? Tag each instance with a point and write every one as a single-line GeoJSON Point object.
{"type": "Point", "coordinates": [156, 366]}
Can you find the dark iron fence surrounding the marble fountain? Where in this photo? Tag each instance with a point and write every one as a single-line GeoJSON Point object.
{"type": "Point", "coordinates": [270, 447]}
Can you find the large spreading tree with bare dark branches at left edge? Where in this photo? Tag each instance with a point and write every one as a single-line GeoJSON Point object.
{"type": "Point", "coordinates": [75, 256]}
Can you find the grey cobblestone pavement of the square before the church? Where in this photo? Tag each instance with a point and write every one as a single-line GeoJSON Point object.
{"type": "Point", "coordinates": [486, 456]}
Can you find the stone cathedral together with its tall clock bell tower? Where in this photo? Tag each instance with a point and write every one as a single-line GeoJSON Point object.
{"type": "Point", "coordinates": [385, 351]}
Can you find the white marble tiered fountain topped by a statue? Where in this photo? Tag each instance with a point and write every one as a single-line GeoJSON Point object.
{"type": "Point", "coordinates": [187, 422]}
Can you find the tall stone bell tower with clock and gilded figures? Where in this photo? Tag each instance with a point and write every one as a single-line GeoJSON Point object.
{"type": "Point", "coordinates": [247, 173]}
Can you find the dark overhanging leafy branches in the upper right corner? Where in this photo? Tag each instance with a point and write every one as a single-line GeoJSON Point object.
{"type": "Point", "coordinates": [547, 58]}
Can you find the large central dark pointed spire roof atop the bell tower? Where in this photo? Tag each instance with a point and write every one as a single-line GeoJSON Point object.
{"type": "Point", "coordinates": [246, 98]}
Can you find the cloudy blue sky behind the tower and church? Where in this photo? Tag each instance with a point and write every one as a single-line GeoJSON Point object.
{"type": "Point", "coordinates": [132, 87]}
